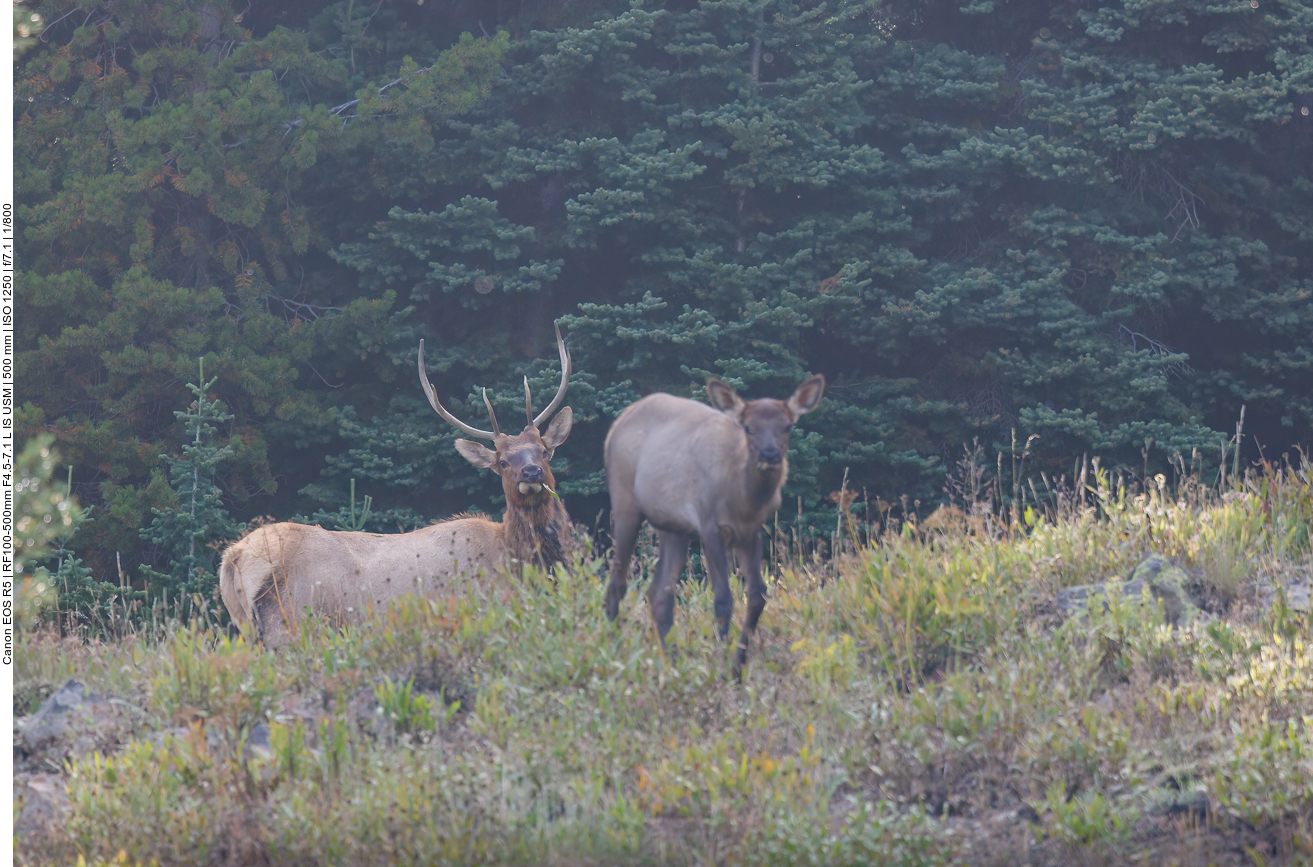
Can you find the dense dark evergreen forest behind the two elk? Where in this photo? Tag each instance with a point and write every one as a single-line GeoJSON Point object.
{"type": "Point", "coordinates": [1084, 229]}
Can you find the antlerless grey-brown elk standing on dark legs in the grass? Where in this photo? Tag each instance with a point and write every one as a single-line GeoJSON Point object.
{"type": "Point", "coordinates": [715, 472]}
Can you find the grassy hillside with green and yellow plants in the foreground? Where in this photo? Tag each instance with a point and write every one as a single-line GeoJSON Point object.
{"type": "Point", "coordinates": [916, 701]}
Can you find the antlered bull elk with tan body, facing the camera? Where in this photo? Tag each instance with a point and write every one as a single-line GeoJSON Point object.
{"type": "Point", "coordinates": [279, 571]}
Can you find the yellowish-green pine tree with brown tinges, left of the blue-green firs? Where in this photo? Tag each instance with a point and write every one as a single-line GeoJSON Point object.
{"type": "Point", "coordinates": [179, 181]}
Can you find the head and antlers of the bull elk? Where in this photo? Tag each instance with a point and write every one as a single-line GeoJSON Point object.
{"type": "Point", "coordinates": [521, 460]}
